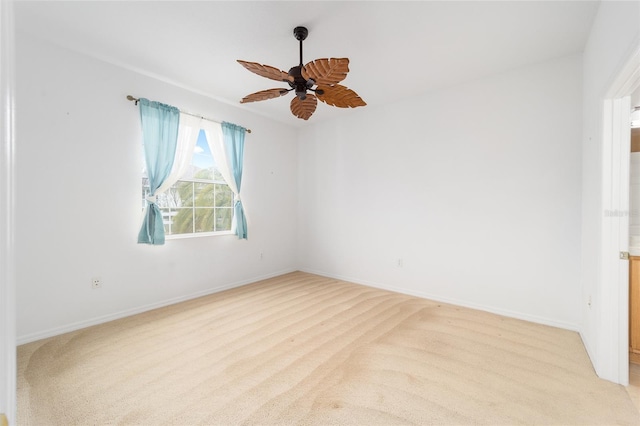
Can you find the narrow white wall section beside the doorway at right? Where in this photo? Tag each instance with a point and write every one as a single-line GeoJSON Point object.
{"type": "Point", "coordinates": [615, 32]}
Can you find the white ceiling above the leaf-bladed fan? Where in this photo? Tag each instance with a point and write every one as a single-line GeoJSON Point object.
{"type": "Point", "coordinates": [396, 49]}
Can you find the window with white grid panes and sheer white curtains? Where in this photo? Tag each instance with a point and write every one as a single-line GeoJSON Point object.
{"type": "Point", "coordinates": [200, 202]}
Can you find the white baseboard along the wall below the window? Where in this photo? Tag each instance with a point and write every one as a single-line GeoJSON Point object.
{"type": "Point", "coordinates": [55, 331]}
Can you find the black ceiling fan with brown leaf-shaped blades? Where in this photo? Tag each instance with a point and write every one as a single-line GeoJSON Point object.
{"type": "Point", "coordinates": [323, 73]}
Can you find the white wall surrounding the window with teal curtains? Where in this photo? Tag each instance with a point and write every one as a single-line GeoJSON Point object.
{"type": "Point", "coordinates": [78, 206]}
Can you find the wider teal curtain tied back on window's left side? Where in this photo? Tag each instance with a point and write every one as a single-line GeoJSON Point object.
{"type": "Point", "coordinates": [160, 136]}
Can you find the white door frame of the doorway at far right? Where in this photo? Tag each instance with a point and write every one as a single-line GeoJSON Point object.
{"type": "Point", "coordinates": [613, 324]}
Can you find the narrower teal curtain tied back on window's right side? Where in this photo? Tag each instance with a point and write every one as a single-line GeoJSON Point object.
{"type": "Point", "coordinates": [233, 139]}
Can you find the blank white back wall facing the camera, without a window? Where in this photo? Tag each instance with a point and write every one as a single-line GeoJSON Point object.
{"type": "Point", "coordinates": [475, 187]}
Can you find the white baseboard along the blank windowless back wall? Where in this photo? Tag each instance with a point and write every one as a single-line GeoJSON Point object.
{"type": "Point", "coordinates": [457, 302]}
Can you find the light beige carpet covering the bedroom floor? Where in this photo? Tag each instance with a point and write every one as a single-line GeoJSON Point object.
{"type": "Point", "coordinates": [303, 349]}
